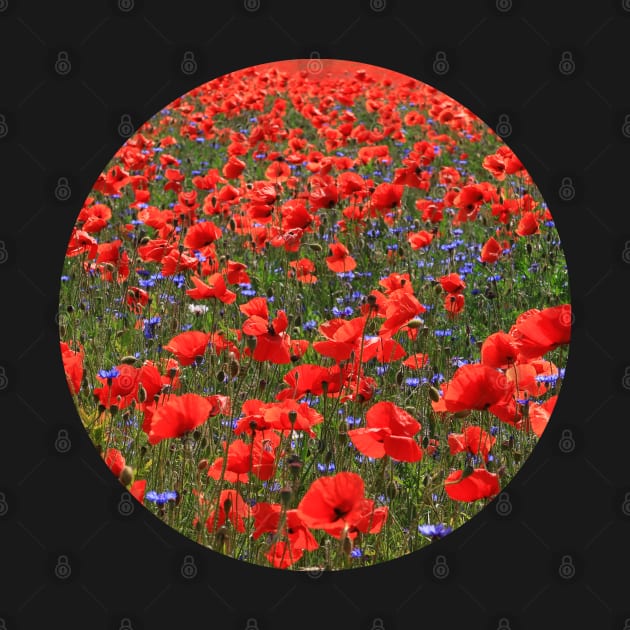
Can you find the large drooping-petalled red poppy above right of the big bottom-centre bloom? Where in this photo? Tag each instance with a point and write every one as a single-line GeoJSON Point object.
{"type": "Point", "coordinates": [389, 431]}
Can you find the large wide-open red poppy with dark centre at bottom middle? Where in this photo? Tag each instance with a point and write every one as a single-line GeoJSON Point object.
{"type": "Point", "coordinates": [335, 504]}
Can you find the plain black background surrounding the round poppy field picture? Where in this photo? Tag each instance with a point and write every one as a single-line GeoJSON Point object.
{"type": "Point", "coordinates": [557, 556]}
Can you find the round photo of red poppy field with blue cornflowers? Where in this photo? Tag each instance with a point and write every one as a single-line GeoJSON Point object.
{"type": "Point", "coordinates": [314, 315]}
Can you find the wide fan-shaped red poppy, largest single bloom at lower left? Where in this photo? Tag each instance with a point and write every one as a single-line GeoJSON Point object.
{"type": "Point", "coordinates": [177, 416]}
